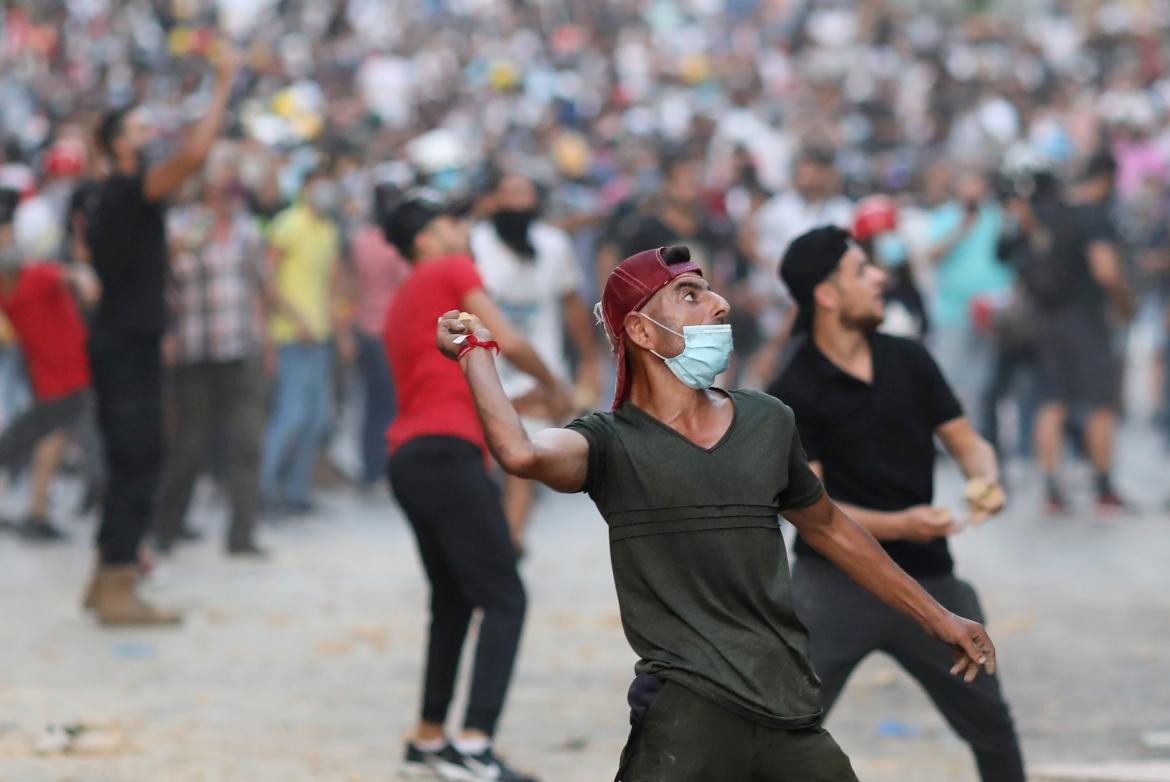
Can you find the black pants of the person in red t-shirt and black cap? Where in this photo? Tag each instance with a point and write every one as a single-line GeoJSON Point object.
{"type": "Point", "coordinates": [463, 536]}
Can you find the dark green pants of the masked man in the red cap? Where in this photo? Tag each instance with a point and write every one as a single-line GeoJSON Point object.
{"type": "Point", "coordinates": [686, 738]}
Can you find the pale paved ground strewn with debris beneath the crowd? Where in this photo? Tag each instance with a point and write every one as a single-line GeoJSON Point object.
{"type": "Point", "coordinates": [307, 668]}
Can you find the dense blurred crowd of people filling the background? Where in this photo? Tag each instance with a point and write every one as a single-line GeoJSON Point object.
{"type": "Point", "coordinates": [960, 142]}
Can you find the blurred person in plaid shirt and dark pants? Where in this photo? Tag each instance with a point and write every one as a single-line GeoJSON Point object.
{"type": "Point", "coordinates": [214, 349]}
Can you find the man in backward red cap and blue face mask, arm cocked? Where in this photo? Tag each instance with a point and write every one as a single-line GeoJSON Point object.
{"type": "Point", "coordinates": [691, 481]}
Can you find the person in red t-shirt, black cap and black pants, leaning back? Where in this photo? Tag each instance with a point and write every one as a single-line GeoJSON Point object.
{"type": "Point", "coordinates": [439, 475]}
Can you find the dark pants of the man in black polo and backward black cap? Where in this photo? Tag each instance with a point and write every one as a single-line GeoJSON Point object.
{"type": "Point", "coordinates": [846, 623]}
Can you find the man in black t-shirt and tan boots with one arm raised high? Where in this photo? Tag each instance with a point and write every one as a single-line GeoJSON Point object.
{"type": "Point", "coordinates": [127, 241]}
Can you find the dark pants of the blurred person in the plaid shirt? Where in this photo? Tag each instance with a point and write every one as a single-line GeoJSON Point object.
{"type": "Point", "coordinates": [209, 399]}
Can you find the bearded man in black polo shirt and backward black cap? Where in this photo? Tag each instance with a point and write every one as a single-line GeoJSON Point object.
{"type": "Point", "coordinates": [868, 408]}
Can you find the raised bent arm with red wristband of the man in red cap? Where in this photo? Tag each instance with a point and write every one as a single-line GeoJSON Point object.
{"type": "Point", "coordinates": [555, 457]}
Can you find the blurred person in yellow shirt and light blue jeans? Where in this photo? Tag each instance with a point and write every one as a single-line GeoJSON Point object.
{"type": "Point", "coordinates": [305, 249]}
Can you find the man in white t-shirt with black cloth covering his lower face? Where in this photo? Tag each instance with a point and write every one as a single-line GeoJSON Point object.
{"type": "Point", "coordinates": [529, 269]}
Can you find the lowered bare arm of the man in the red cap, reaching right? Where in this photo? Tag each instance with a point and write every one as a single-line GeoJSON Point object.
{"type": "Point", "coordinates": [849, 546]}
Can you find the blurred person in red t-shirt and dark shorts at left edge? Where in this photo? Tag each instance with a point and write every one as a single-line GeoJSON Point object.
{"type": "Point", "coordinates": [38, 299]}
